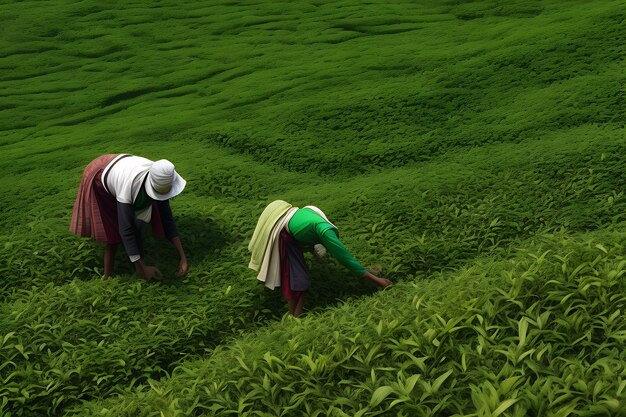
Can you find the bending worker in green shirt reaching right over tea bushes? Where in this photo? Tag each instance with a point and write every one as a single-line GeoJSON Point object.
{"type": "Point", "coordinates": [281, 235]}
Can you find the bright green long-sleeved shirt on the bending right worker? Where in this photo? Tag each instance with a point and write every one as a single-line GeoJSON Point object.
{"type": "Point", "coordinates": [309, 228]}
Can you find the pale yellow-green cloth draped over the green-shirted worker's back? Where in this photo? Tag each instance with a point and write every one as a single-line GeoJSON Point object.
{"type": "Point", "coordinates": [264, 245]}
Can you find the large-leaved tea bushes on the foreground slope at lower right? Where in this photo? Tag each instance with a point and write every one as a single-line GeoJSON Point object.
{"type": "Point", "coordinates": [540, 334]}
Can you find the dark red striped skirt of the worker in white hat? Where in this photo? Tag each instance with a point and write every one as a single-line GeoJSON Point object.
{"type": "Point", "coordinates": [95, 210]}
